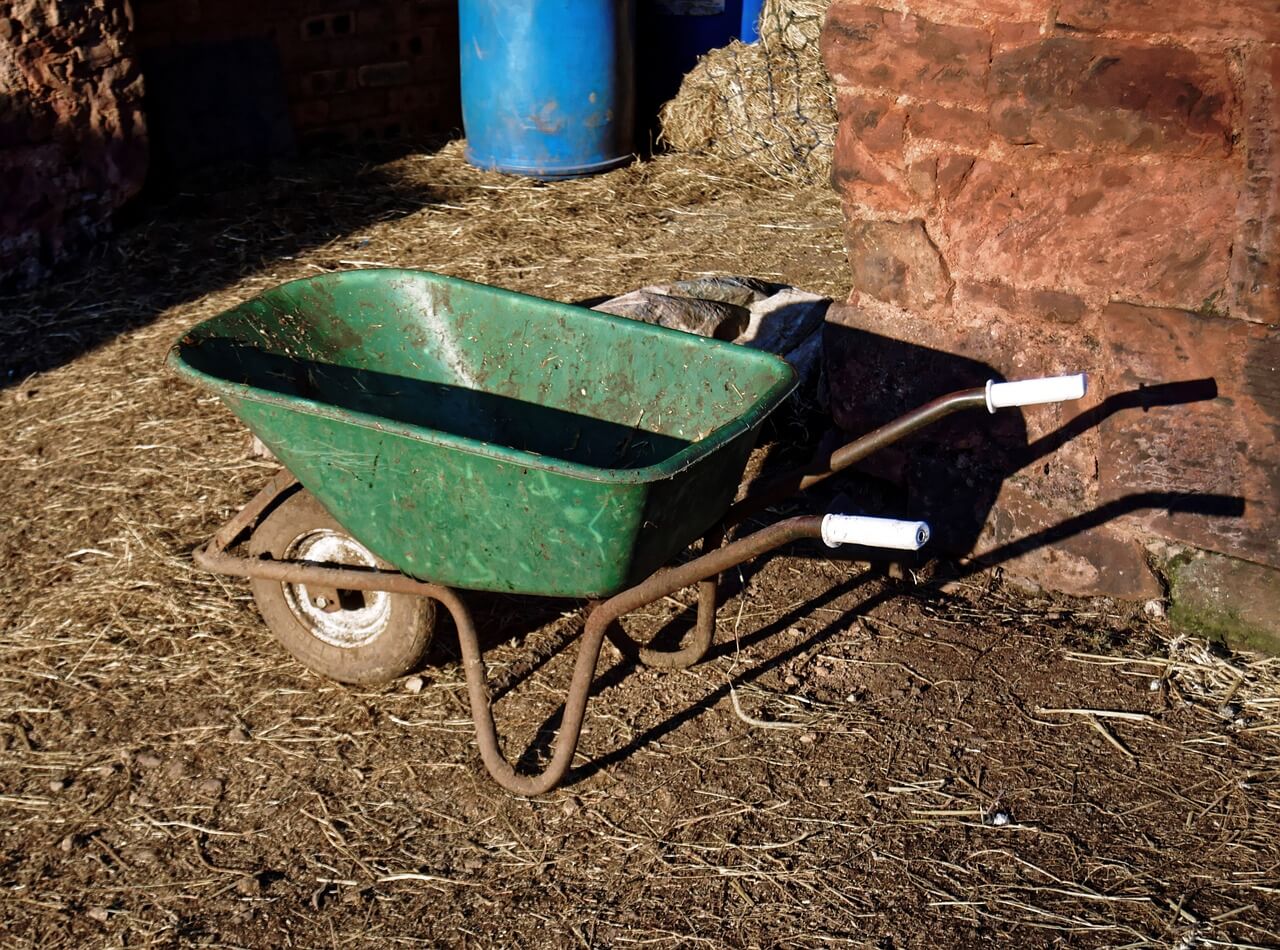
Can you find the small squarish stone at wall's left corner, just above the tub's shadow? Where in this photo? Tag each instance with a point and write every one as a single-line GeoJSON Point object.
{"type": "Point", "coordinates": [897, 263]}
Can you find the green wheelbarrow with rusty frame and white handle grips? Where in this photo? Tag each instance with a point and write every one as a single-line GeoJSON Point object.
{"type": "Point", "coordinates": [441, 436]}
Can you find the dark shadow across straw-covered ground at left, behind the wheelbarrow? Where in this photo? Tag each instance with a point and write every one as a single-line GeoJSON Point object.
{"type": "Point", "coordinates": [180, 243]}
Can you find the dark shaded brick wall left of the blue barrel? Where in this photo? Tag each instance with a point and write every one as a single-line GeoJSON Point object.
{"type": "Point", "coordinates": [353, 70]}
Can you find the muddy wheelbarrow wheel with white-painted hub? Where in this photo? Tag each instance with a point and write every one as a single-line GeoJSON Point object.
{"type": "Point", "coordinates": [358, 637]}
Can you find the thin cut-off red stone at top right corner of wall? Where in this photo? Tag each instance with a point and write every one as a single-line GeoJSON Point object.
{"type": "Point", "coordinates": [1231, 20]}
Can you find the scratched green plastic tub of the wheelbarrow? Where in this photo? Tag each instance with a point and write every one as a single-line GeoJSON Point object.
{"type": "Point", "coordinates": [488, 440]}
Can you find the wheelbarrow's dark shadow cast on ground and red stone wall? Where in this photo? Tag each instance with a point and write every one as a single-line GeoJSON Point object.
{"type": "Point", "coordinates": [950, 474]}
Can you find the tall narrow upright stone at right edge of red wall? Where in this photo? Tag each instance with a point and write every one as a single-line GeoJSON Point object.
{"type": "Point", "coordinates": [1256, 257]}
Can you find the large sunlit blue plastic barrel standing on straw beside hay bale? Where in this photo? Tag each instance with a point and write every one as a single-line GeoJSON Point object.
{"type": "Point", "coordinates": [548, 86]}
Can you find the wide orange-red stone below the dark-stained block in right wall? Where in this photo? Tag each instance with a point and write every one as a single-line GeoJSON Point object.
{"type": "Point", "coordinates": [1151, 232]}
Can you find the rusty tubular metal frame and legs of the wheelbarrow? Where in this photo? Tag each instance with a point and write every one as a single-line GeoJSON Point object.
{"type": "Point", "coordinates": [602, 622]}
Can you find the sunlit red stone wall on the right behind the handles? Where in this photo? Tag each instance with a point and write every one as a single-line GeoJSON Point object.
{"type": "Point", "coordinates": [1057, 185]}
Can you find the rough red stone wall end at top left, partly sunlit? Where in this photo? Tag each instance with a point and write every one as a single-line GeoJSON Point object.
{"type": "Point", "coordinates": [72, 135]}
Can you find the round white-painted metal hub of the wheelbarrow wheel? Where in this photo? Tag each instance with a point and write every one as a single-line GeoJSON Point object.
{"type": "Point", "coordinates": [360, 616]}
